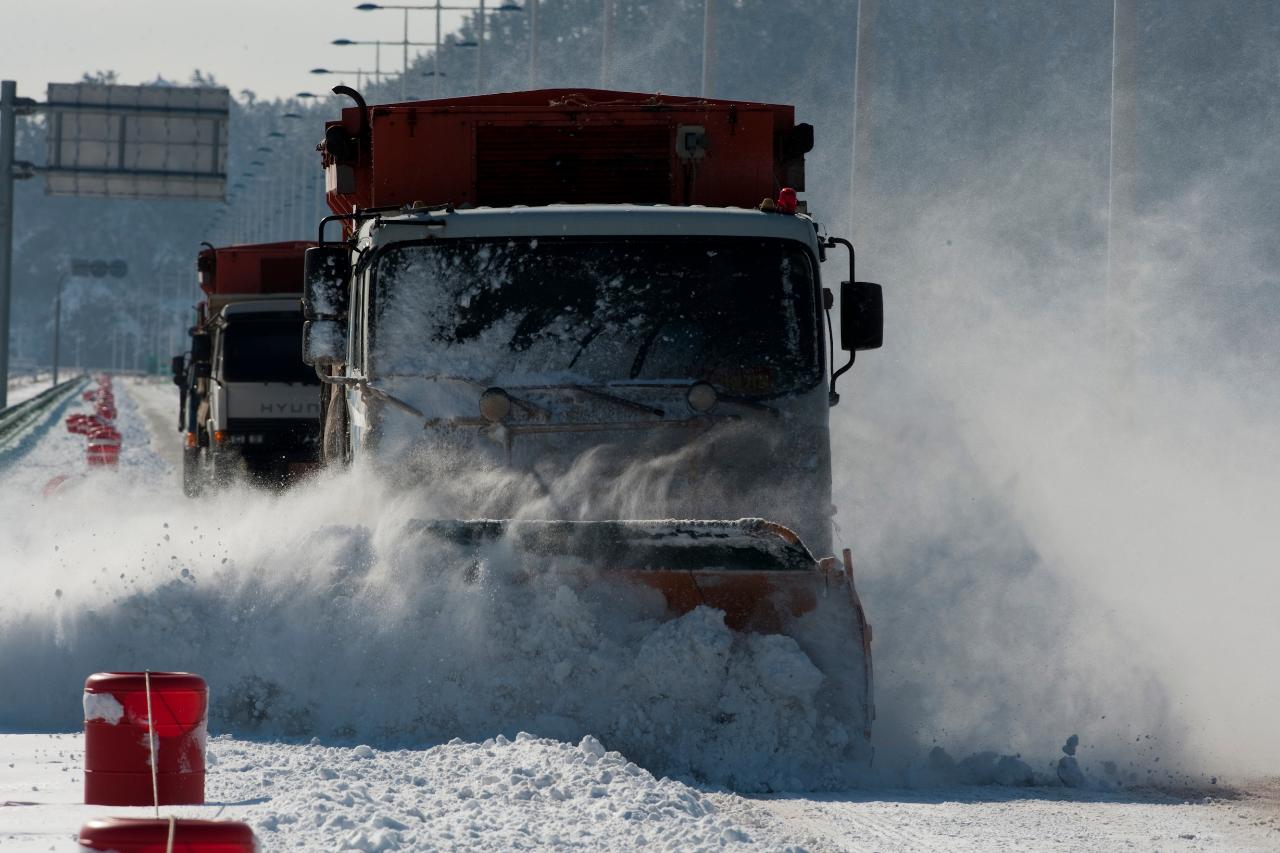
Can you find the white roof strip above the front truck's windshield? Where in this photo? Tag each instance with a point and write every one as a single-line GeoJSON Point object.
{"type": "Point", "coordinates": [591, 221]}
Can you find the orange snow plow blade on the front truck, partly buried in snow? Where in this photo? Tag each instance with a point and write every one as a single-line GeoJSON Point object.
{"type": "Point", "coordinates": [757, 572]}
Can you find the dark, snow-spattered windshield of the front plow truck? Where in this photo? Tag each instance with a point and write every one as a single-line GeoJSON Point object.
{"type": "Point", "coordinates": [735, 312]}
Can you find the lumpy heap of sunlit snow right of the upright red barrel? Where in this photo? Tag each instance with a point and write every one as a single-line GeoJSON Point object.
{"type": "Point", "coordinates": [529, 793]}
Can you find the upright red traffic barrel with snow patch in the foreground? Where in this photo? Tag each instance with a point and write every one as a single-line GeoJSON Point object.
{"type": "Point", "coordinates": [117, 755]}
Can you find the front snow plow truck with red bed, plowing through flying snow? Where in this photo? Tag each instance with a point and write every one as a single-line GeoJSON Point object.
{"type": "Point", "coordinates": [605, 312]}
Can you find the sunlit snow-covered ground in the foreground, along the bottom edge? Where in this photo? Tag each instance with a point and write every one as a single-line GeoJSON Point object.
{"type": "Point", "coordinates": [534, 793]}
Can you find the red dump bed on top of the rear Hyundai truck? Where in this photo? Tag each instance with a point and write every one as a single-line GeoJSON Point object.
{"type": "Point", "coordinates": [230, 273]}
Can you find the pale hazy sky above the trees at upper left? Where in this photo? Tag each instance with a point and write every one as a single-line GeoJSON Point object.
{"type": "Point", "coordinates": [264, 45]}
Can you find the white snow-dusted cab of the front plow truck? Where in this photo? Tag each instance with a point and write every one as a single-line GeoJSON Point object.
{"type": "Point", "coordinates": [528, 340]}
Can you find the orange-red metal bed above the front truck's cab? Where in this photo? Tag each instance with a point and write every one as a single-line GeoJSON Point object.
{"type": "Point", "coordinates": [563, 145]}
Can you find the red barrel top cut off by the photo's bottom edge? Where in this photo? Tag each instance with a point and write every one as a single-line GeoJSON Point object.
{"type": "Point", "coordinates": [140, 836]}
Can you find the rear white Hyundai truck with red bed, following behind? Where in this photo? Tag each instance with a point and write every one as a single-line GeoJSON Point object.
{"type": "Point", "coordinates": [250, 407]}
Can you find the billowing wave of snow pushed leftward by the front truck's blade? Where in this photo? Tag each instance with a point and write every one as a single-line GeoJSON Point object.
{"type": "Point", "coordinates": [326, 612]}
